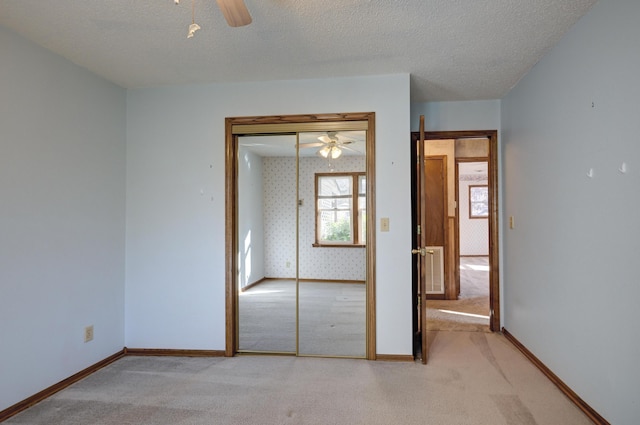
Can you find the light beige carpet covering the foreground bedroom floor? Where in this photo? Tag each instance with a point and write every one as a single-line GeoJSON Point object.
{"type": "Point", "coordinates": [472, 378]}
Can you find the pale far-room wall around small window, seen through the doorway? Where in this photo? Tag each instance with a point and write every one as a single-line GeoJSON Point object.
{"type": "Point", "coordinates": [474, 233]}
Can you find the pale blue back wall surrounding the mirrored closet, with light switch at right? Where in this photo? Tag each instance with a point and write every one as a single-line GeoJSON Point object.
{"type": "Point", "coordinates": [175, 236]}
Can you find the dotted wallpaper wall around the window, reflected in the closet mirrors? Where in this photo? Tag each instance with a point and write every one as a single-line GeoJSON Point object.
{"type": "Point", "coordinates": [280, 222]}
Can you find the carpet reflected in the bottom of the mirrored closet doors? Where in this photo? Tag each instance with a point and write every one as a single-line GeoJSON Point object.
{"type": "Point", "coordinates": [331, 318]}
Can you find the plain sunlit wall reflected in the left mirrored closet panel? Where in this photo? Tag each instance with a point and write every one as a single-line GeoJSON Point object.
{"type": "Point", "coordinates": [251, 258]}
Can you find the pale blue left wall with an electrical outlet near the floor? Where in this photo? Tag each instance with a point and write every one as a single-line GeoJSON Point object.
{"type": "Point", "coordinates": [62, 183]}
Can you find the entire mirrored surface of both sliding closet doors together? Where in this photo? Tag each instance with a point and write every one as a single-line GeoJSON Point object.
{"type": "Point", "coordinates": [301, 242]}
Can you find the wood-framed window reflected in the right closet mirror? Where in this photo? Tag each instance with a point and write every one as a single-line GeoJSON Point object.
{"type": "Point", "coordinates": [341, 212]}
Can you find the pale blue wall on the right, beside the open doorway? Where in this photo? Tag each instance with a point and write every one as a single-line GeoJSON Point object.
{"type": "Point", "coordinates": [571, 280]}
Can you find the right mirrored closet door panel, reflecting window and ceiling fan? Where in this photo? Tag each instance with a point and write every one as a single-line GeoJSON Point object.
{"type": "Point", "coordinates": [332, 241]}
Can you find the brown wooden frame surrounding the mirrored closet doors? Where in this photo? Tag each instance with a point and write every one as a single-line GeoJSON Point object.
{"type": "Point", "coordinates": [232, 126]}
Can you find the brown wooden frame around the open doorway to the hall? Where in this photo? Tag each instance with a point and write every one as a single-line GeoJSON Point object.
{"type": "Point", "coordinates": [493, 172]}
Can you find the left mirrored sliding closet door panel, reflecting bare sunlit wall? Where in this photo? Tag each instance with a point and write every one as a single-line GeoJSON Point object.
{"type": "Point", "coordinates": [267, 293]}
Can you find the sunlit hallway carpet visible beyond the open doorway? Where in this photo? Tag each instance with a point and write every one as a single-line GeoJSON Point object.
{"type": "Point", "coordinates": [470, 313]}
